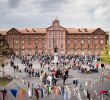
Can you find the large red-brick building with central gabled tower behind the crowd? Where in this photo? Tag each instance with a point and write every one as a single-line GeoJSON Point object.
{"type": "Point", "coordinates": [68, 40]}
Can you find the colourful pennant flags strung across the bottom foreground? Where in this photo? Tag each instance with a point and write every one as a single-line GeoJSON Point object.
{"type": "Point", "coordinates": [45, 90]}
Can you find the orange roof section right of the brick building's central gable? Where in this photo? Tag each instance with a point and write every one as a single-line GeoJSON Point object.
{"type": "Point", "coordinates": [80, 30]}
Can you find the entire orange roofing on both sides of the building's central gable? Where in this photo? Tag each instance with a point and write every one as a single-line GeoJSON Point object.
{"type": "Point", "coordinates": [43, 30]}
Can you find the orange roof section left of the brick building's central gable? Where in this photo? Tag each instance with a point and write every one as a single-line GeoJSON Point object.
{"type": "Point", "coordinates": [32, 30]}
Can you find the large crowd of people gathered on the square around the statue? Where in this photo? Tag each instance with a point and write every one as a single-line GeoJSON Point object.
{"type": "Point", "coordinates": [60, 70]}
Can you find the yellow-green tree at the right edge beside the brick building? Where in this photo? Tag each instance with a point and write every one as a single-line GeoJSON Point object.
{"type": "Point", "coordinates": [105, 58]}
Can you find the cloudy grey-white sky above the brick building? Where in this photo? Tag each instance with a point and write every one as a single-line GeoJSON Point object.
{"type": "Point", "coordinates": [41, 13]}
